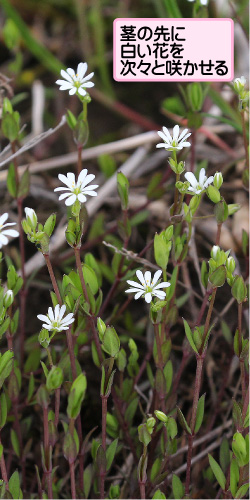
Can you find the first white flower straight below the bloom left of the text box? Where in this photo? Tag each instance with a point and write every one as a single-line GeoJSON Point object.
{"type": "Point", "coordinates": [79, 190]}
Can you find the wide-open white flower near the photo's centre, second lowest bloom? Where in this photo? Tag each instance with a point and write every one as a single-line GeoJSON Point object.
{"type": "Point", "coordinates": [148, 287]}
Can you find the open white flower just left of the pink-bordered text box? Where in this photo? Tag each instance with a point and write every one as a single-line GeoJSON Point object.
{"type": "Point", "coordinates": [76, 82]}
